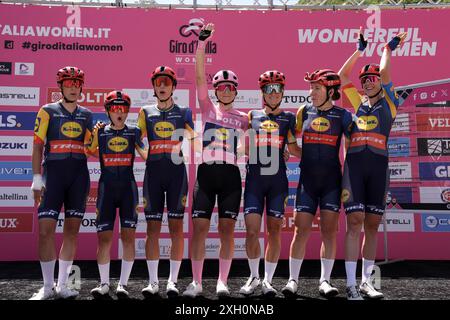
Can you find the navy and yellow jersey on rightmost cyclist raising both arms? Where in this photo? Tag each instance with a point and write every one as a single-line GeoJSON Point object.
{"type": "Point", "coordinates": [372, 125]}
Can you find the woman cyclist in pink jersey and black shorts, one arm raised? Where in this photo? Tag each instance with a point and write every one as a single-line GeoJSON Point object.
{"type": "Point", "coordinates": [217, 175]}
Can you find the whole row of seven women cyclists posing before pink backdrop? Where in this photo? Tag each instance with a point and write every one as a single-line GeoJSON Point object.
{"type": "Point", "coordinates": [65, 136]}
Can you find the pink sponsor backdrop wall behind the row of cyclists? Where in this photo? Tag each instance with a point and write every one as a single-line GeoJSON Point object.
{"type": "Point", "coordinates": [248, 43]}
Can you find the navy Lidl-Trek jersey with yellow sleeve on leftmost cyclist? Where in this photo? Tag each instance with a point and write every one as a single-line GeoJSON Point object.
{"type": "Point", "coordinates": [64, 134]}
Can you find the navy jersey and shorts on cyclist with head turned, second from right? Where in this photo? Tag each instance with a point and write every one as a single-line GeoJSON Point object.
{"type": "Point", "coordinates": [320, 176]}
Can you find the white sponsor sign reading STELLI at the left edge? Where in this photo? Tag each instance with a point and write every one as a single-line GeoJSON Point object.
{"type": "Point", "coordinates": [19, 96]}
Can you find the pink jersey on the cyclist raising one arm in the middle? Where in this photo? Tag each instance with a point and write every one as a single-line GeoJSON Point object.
{"type": "Point", "coordinates": [222, 129]}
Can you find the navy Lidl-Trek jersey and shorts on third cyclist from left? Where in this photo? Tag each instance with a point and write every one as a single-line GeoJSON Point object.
{"type": "Point", "coordinates": [165, 180]}
